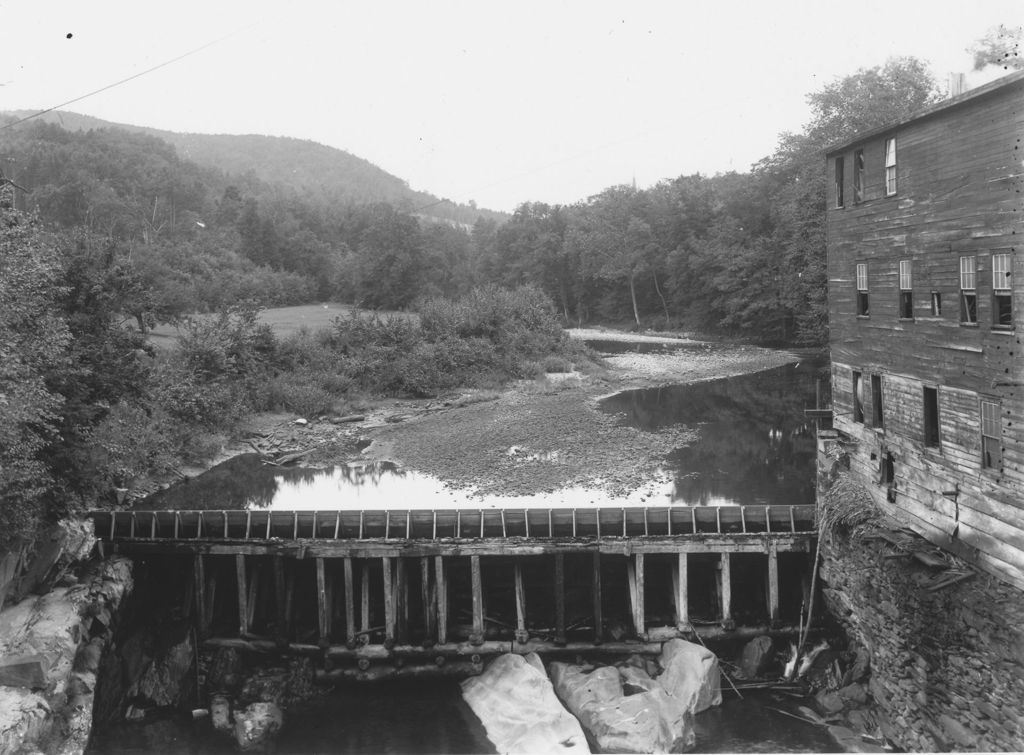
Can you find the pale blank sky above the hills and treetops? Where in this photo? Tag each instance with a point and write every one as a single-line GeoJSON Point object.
{"type": "Point", "coordinates": [496, 102]}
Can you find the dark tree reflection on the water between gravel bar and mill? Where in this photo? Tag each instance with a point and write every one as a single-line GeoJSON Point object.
{"type": "Point", "coordinates": [755, 445]}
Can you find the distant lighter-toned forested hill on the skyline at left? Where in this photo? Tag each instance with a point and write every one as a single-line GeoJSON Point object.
{"type": "Point", "coordinates": [300, 164]}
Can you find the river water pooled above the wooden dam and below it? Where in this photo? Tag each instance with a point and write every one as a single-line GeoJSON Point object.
{"type": "Point", "coordinates": [755, 446]}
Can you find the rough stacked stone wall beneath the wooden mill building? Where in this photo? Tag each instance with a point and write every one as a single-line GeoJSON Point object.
{"type": "Point", "coordinates": [948, 665]}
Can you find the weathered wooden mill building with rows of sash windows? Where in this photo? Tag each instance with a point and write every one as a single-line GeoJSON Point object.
{"type": "Point", "coordinates": [926, 292]}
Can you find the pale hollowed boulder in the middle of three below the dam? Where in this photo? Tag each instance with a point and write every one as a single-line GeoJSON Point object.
{"type": "Point", "coordinates": [646, 722]}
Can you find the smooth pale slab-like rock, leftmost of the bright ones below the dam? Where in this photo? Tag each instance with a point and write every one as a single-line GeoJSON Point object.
{"type": "Point", "coordinates": [517, 703]}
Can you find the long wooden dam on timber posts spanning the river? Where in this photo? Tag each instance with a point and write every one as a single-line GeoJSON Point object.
{"type": "Point", "coordinates": [445, 589]}
